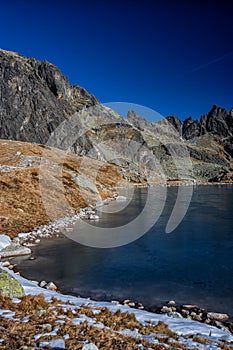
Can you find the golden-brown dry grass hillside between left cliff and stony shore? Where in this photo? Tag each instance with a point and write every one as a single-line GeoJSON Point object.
{"type": "Point", "coordinates": [21, 204]}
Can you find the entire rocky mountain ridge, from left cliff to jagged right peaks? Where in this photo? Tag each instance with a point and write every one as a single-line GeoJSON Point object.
{"type": "Point", "coordinates": [38, 105]}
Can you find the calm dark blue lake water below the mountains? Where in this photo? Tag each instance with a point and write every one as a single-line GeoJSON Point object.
{"type": "Point", "coordinates": [193, 264]}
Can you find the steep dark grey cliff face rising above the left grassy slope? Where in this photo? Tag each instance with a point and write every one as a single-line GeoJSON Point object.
{"type": "Point", "coordinates": [35, 98]}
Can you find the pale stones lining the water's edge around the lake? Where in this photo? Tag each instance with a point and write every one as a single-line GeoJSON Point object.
{"type": "Point", "coordinates": [21, 246]}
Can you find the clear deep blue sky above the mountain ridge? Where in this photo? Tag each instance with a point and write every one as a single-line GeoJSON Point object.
{"type": "Point", "coordinates": [175, 57]}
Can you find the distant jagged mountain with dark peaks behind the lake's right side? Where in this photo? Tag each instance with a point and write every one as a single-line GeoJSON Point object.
{"type": "Point", "coordinates": [208, 143]}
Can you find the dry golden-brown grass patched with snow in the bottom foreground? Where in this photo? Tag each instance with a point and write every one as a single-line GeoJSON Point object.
{"type": "Point", "coordinates": [40, 313]}
